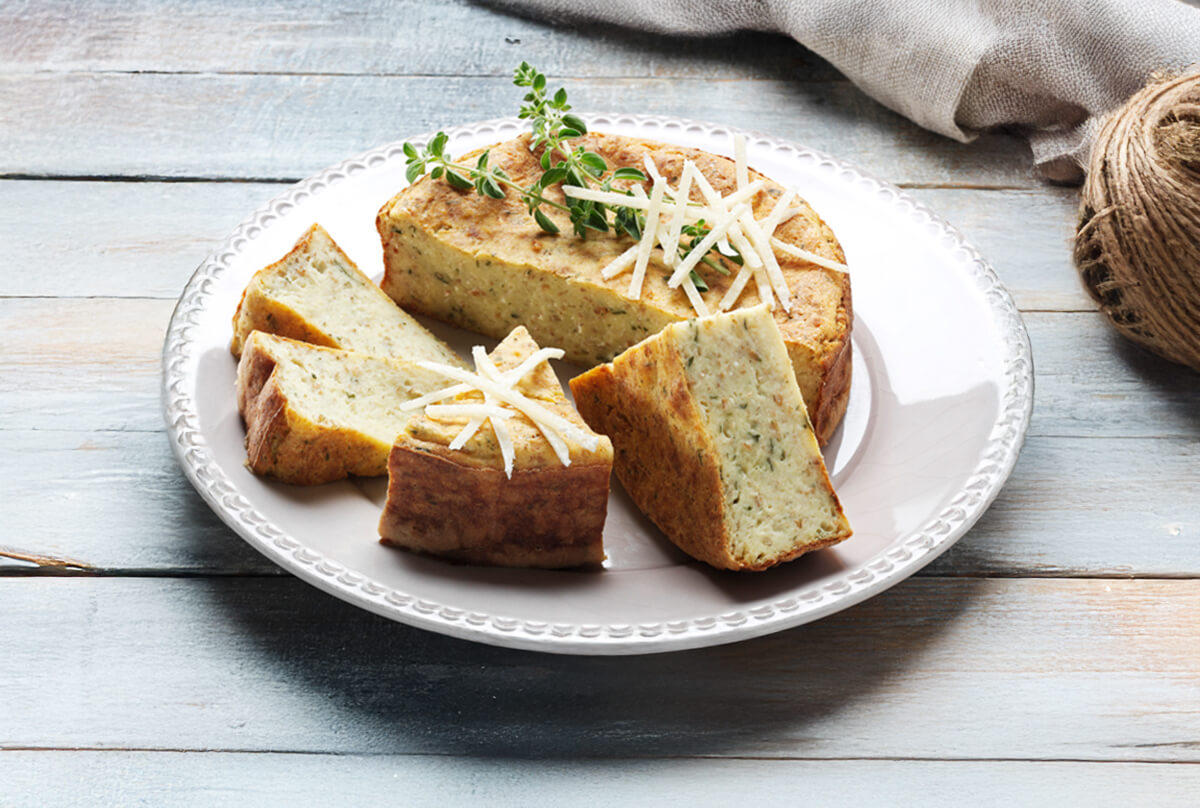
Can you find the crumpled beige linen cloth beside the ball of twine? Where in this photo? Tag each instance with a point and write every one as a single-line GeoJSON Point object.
{"type": "Point", "coordinates": [1047, 68]}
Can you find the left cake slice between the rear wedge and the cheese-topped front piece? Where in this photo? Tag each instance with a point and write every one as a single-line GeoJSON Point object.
{"type": "Point", "coordinates": [319, 415]}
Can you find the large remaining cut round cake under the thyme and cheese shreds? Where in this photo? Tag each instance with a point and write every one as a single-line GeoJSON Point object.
{"type": "Point", "coordinates": [484, 265]}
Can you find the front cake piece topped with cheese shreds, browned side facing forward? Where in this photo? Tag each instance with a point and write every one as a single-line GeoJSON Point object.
{"type": "Point", "coordinates": [461, 505]}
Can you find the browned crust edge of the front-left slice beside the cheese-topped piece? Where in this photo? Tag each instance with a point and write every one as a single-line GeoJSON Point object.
{"type": "Point", "coordinates": [283, 445]}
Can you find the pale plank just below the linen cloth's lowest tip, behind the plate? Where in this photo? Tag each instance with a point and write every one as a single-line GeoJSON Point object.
{"type": "Point", "coordinates": [145, 240]}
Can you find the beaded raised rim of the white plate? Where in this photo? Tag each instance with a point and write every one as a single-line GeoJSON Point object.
{"type": "Point", "coordinates": [905, 556]}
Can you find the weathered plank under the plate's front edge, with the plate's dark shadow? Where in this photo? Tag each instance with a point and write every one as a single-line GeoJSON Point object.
{"type": "Point", "coordinates": [935, 668]}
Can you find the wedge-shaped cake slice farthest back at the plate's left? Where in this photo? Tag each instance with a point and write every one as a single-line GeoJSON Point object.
{"type": "Point", "coordinates": [317, 295]}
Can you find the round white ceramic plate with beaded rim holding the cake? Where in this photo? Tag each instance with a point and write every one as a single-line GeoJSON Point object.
{"type": "Point", "coordinates": [941, 398]}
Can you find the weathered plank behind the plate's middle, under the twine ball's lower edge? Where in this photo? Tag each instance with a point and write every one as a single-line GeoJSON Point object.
{"type": "Point", "coordinates": [93, 364]}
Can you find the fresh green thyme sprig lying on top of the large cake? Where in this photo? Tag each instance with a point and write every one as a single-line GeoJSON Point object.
{"type": "Point", "coordinates": [554, 127]}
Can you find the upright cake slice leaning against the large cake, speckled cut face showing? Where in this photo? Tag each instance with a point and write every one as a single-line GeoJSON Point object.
{"type": "Point", "coordinates": [713, 441]}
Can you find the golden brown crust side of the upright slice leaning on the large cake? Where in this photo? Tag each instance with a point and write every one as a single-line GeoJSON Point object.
{"type": "Point", "coordinates": [657, 458]}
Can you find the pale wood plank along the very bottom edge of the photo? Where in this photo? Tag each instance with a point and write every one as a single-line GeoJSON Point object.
{"type": "Point", "coordinates": [165, 779]}
